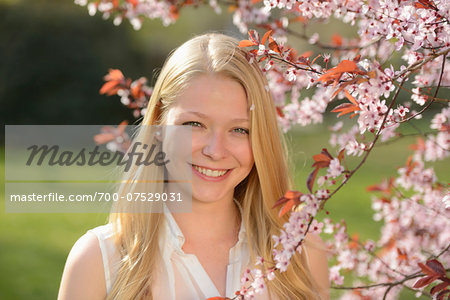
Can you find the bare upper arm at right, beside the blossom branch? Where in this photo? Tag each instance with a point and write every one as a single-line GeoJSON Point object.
{"type": "Point", "coordinates": [318, 262]}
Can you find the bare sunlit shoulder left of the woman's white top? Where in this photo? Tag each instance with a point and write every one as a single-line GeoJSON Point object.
{"type": "Point", "coordinates": [83, 276]}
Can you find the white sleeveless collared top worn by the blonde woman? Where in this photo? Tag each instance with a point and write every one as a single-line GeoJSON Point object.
{"type": "Point", "coordinates": [181, 277]}
